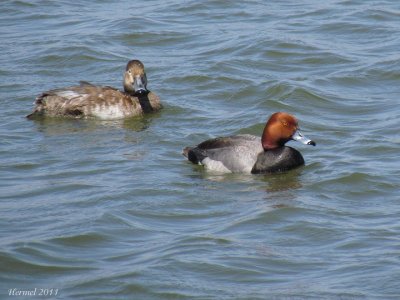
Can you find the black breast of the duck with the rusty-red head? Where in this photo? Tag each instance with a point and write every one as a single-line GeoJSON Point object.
{"type": "Point", "coordinates": [277, 160]}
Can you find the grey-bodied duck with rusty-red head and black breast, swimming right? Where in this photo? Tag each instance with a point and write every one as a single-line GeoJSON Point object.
{"type": "Point", "coordinates": [245, 153]}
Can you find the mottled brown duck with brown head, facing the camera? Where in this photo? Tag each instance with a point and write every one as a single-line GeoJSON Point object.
{"type": "Point", "coordinates": [104, 102]}
